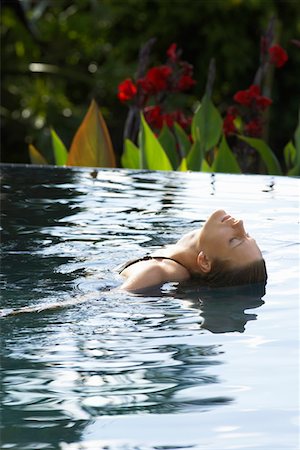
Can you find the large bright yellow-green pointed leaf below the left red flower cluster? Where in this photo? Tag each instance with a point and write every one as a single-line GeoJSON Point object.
{"type": "Point", "coordinates": [153, 156]}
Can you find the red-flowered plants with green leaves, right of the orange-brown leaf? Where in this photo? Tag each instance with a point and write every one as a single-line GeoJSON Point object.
{"type": "Point", "coordinates": [209, 150]}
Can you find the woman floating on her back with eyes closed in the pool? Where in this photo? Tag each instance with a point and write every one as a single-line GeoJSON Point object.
{"type": "Point", "coordinates": [219, 254]}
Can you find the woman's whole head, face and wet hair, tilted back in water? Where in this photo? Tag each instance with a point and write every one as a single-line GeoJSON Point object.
{"type": "Point", "coordinates": [227, 255]}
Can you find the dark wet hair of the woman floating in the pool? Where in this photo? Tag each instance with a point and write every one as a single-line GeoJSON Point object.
{"type": "Point", "coordinates": [221, 275]}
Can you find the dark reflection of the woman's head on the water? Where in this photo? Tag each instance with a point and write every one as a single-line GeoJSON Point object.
{"type": "Point", "coordinates": [224, 310]}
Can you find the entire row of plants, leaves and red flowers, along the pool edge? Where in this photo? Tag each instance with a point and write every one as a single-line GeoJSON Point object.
{"type": "Point", "coordinates": [205, 149]}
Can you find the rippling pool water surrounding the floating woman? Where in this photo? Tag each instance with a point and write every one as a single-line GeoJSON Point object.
{"type": "Point", "coordinates": [86, 367]}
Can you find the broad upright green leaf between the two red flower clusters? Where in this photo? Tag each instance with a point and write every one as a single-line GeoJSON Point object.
{"type": "Point", "coordinates": [210, 123]}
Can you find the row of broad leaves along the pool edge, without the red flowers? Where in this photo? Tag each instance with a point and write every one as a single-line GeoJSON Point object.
{"type": "Point", "coordinates": [92, 147]}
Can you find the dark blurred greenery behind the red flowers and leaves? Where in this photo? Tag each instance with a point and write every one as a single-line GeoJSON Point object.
{"type": "Point", "coordinates": [56, 55]}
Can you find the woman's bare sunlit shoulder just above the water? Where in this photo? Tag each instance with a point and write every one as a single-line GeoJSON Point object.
{"type": "Point", "coordinates": [146, 274]}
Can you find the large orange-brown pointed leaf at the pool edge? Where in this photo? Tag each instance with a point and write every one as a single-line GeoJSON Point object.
{"type": "Point", "coordinates": [91, 146]}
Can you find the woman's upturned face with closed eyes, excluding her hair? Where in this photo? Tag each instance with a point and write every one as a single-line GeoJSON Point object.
{"type": "Point", "coordinates": [224, 237]}
